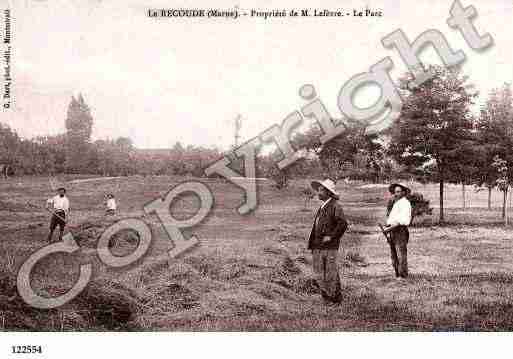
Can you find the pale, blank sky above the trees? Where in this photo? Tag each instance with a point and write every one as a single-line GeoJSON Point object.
{"type": "Point", "coordinates": [159, 81]}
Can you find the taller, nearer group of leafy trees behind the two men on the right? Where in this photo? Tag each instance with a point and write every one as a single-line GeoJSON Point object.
{"type": "Point", "coordinates": [436, 139]}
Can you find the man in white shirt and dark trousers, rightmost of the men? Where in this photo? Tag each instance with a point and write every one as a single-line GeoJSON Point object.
{"type": "Point", "coordinates": [398, 219]}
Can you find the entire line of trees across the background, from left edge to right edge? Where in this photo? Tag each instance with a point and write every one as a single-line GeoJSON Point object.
{"type": "Point", "coordinates": [436, 139]}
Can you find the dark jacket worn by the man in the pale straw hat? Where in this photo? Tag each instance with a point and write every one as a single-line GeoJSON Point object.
{"type": "Point", "coordinates": [330, 222]}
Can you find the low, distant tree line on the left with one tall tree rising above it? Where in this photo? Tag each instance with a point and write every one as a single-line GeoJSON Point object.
{"type": "Point", "coordinates": [73, 152]}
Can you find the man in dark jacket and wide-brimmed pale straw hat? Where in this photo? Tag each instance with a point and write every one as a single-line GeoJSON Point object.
{"type": "Point", "coordinates": [324, 240]}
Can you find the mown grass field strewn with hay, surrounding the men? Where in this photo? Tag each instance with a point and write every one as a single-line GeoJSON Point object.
{"type": "Point", "coordinates": [253, 272]}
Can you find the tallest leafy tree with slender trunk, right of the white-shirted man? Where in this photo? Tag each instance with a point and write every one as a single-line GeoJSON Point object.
{"type": "Point", "coordinates": [435, 121]}
